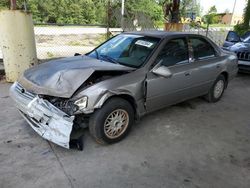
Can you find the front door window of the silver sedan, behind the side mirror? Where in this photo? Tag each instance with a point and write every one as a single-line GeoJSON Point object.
{"type": "Point", "coordinates": [174, 52]}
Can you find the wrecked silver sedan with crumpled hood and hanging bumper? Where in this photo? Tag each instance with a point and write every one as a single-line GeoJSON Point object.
{"type": "Point", "coordinates": [123, 79]}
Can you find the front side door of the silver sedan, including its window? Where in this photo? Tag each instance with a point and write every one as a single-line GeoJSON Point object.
{"type": "Point", "coordinates": [162, 91]}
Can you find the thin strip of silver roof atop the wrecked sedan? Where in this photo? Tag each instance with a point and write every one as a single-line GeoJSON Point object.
{"type": "Point", "coordinates": [161, 34]}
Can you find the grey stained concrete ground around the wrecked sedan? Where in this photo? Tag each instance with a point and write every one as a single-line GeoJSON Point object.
{"type": "Point", "coordinates": [193, 144]}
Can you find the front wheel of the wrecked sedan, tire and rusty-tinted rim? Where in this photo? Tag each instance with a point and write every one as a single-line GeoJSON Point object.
{"type": "Point", "coordinates": [112, 122]}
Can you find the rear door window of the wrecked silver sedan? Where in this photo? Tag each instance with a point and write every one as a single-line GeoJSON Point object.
{"type": "Point", "coordinates": [202, 48]}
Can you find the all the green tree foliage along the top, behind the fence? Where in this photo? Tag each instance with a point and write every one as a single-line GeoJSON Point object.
{"type": "Point", "coordinates": [94, 11]}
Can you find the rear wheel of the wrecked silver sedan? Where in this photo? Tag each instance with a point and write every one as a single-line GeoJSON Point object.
{"type": "Point", "coordinates": [216, 91]}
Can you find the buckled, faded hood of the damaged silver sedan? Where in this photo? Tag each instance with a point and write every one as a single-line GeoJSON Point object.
{"type": "Point", "coordinates": [63, 77]}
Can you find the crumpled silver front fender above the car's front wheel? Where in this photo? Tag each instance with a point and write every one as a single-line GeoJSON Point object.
{"type": "Point", "coordinates": [130, 85]}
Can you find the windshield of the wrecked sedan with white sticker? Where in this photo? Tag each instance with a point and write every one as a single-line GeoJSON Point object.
{"type": "Point", "coordinates": [125, 49]}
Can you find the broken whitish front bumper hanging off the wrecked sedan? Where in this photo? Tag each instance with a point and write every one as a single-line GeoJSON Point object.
{"type": "Point", "coordinates": [48, 121]}
